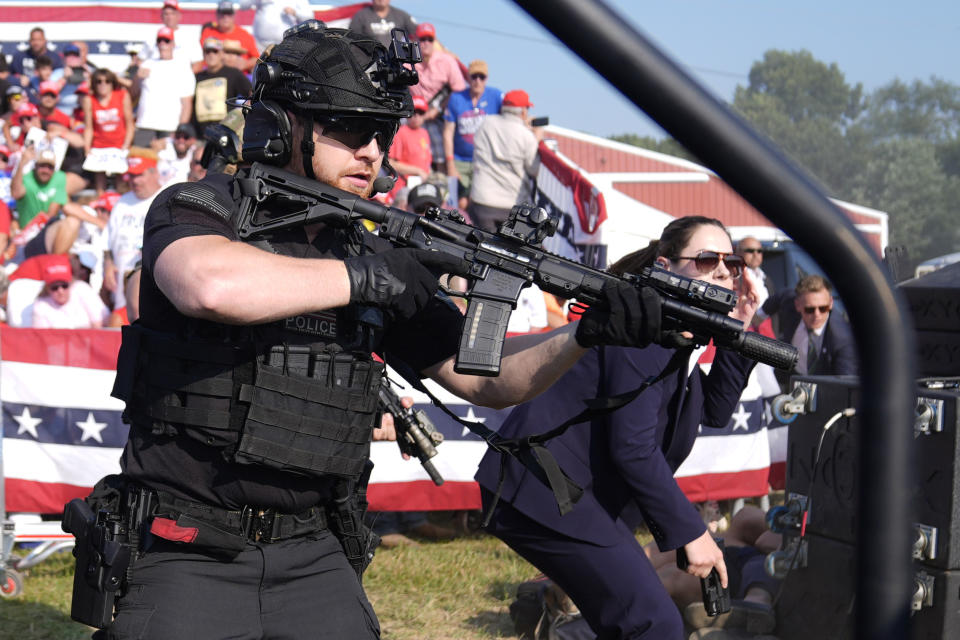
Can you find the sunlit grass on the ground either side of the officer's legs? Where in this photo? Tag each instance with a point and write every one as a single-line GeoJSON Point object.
{"type": "Point", "coordinates": [457, 590]}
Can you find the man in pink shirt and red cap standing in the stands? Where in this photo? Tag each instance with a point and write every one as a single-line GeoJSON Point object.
{"type": "Point", "coordinates": [440, 76]}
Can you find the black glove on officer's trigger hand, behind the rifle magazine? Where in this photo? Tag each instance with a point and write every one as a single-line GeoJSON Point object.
{"type": "Point", "coordinates": [402, 281]}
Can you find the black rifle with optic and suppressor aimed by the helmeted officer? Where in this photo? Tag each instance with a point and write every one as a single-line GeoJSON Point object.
{"type": "Point", "coordinates": [499, 265]}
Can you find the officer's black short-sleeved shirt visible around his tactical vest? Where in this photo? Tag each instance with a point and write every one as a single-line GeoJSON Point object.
{"type": "Point", "coordinates": [194, 471]}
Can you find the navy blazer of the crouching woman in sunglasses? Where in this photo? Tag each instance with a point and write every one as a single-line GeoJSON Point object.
{"type": "Point", "coordinates": [625, 459]}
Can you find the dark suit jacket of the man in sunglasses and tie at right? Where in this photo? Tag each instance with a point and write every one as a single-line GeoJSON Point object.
{"type": "Point", "coordinates": [838, 350]}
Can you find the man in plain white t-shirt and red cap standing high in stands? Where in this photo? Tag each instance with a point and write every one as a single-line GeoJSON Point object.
{"type": "Point", "coordinates": [166, 93]}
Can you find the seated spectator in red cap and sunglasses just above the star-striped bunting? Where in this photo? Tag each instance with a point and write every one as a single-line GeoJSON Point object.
{"type": "Point", "coordinates": [65, 303]}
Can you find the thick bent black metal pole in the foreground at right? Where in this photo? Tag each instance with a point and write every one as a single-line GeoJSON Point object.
{"type": "Point", "coordinates": [766, 180]}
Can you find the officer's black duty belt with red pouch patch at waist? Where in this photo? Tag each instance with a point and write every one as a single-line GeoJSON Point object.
{"type": "Point", "coordinates": [229, 530]}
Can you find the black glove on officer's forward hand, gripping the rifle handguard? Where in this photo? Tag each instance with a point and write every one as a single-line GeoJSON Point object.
{"type": "Point", "coordinates": [630, 317]}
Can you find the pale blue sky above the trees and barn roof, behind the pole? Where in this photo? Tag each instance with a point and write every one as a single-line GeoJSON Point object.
{"type": "Point", "coordinates": [716, 40]}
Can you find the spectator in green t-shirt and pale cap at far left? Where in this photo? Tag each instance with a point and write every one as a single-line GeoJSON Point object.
{"type": "Point", "coordinates": [40, 193]}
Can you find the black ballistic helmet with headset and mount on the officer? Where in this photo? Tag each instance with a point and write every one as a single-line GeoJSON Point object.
{"type": "Point", "coordinates": [316, 72]}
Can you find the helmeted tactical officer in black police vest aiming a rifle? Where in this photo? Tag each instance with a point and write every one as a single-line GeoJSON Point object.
{"type": "Point", "coordinates": [249, 381]}
